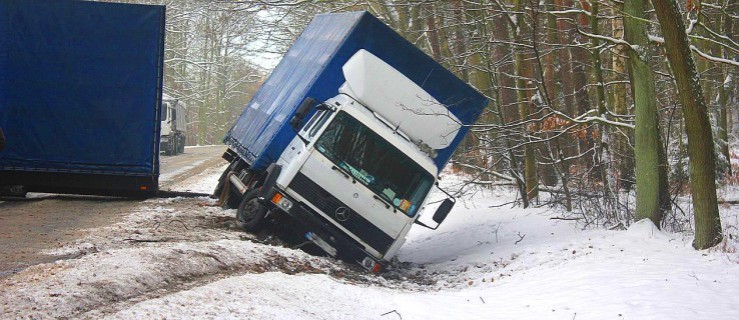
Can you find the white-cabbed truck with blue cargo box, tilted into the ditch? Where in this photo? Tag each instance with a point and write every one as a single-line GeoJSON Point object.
{"type": "Point", "coordinates": [346, 139]}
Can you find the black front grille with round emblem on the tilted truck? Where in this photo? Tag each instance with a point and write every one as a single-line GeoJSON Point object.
{"type": "Point", "coordinates": [328, 204]}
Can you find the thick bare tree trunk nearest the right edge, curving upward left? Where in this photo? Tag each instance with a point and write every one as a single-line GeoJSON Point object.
{"type": "Point", "coordinates": [700, 137]}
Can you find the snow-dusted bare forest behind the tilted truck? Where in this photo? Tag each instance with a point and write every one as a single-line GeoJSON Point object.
{"type": "Point", "coordinates": [610, 110]}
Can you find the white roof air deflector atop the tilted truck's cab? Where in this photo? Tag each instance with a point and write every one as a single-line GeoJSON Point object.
{"type": "Point", "coordinates": [399, 100]}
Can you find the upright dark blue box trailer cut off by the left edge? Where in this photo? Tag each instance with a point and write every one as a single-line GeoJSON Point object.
{"type": "Point", "coordinates": [80, 96]}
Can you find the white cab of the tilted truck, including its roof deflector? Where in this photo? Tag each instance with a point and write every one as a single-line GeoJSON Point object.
{"type": "Point", "coordinates": [359, 170]}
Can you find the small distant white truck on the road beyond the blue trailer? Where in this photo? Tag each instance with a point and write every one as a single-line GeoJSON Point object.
{"type": "Point", "coordinates": [174, 126]}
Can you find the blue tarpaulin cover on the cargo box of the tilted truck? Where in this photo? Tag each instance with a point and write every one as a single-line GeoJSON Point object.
{"type": "Point", "coordinates": [312, 68]}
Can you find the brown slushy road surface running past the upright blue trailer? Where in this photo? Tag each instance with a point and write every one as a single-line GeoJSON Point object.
{"type": "Point", "coordinates": [45, 221]}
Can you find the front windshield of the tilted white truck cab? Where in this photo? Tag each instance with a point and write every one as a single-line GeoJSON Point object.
{"type": "Point", "coordinates": [374, 162]}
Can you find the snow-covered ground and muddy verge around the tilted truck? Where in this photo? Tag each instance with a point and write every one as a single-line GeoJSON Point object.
{"type": "Point", "coordinates": [177, 259]}
